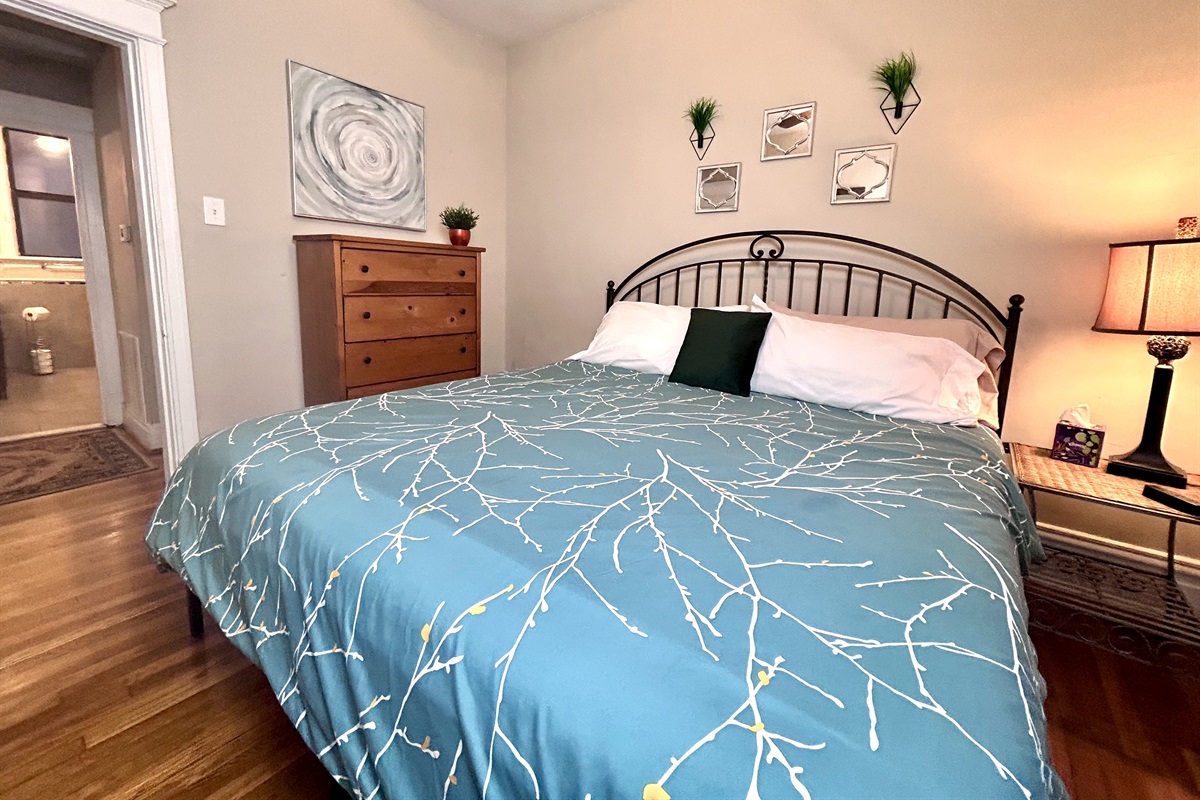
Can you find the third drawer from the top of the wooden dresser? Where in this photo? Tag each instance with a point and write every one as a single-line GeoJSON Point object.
{"type": "Point", "coordinates": [380, 363]}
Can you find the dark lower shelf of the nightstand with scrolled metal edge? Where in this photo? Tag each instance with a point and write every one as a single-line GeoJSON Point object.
{"type": "Point", "coordinates": [1130, 612]}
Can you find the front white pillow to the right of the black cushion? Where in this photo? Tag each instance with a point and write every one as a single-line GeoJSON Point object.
{"type": "Point", "coordinates": [879, 372]}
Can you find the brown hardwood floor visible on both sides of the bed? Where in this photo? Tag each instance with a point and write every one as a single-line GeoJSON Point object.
{"type": "Point", "coordinates": [105, 695]}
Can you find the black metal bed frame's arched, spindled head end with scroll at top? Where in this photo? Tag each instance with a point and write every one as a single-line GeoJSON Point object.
{"type": "Point", "coordinates": [766, 256]}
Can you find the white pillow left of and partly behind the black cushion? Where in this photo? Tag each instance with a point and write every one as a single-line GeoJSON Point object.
{"type": "Point", "coordinates": [643, 336]}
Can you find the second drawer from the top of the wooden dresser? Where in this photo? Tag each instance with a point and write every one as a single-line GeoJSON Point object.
{"type": "Point", "coordinates": [395, 317]}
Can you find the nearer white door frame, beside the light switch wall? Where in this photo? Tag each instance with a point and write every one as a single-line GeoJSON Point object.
{"type": "Point", "coordinates": [135, 27]}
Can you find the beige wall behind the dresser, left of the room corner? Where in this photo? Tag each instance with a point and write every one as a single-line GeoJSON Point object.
{"type": "Point", "coordinates": [230, 131]}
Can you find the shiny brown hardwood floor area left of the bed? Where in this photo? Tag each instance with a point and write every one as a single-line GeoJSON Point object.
{"type": "Point", "coordinates": [103, 691]}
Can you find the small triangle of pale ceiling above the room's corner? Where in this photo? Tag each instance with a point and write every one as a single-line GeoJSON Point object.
{"type": "Point", "coordinates": [512, 22]}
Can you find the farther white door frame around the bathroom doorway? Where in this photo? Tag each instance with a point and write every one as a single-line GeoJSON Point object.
{"type": "Point", "coordinates": [76, 125]}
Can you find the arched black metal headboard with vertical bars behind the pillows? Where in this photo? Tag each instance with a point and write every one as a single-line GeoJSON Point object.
{"type": "Point", "coordinates": [686, 276]}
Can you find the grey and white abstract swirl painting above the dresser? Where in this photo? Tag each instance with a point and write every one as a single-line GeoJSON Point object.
{"type": "Point", "coordinates": [358, 155]}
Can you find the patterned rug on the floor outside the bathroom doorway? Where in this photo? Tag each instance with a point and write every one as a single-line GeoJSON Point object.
{"type": "Point", "coordinates": [32, 468]}
